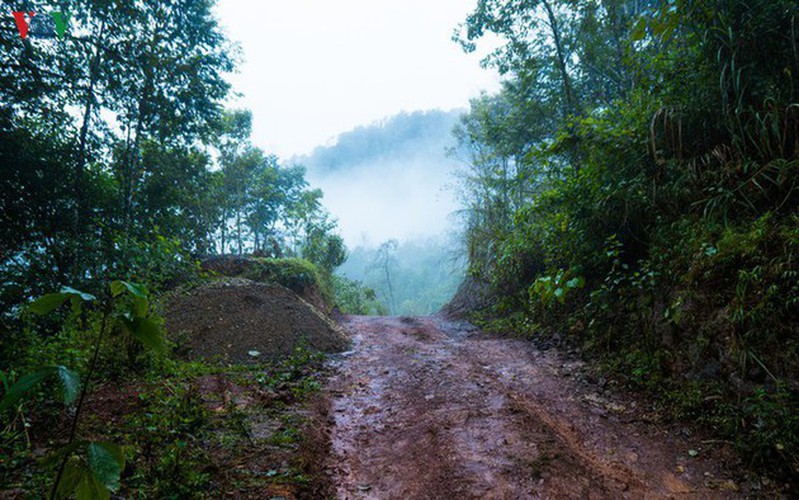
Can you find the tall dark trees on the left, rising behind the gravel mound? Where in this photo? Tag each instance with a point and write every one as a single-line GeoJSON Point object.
{"type": "Point", "coordinates": [119, 159]}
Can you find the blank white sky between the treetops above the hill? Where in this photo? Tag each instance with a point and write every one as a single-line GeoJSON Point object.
{"type": "Point", "coordinates": [313, 69]}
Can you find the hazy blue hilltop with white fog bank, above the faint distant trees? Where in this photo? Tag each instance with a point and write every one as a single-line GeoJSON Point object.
{"type": "Point", "coordinates": [389, 179]}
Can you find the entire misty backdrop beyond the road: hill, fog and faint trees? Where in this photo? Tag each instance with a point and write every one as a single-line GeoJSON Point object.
{"type": "Point", "coordinates": [389, 186]}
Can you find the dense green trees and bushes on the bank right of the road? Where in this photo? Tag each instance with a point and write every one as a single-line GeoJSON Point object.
{"type": "Point", "coordinates": [633, 190]}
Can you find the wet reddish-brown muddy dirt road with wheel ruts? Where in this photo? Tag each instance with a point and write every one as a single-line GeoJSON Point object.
{"type": "Point", "coordinates": [427, 408]}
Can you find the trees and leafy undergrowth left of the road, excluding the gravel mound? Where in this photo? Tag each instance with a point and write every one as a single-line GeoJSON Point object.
{"type": "Point", "coordinates": [120, 166]}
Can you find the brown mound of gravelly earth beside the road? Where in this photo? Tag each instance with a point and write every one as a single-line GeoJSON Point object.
{"type": "Point", "coordinates": [240, 320]}
